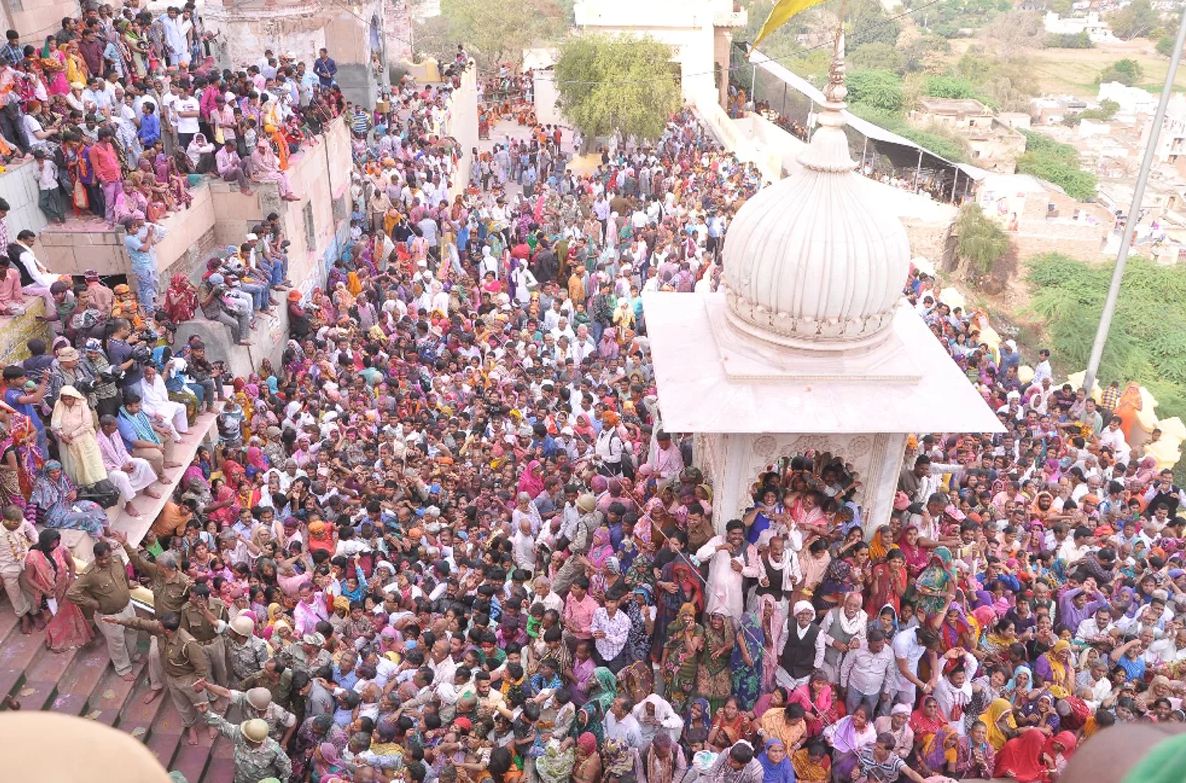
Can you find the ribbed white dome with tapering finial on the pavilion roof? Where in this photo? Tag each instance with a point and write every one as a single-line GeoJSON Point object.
{"type": "Point", "coordinates": [818, 260]}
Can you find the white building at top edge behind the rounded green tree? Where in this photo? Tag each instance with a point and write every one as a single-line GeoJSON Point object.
{"type": "Point", "coordinates": [698, 30]}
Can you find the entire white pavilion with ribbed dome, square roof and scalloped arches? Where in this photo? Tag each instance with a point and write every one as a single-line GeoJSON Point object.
{"type": "Point", "coordinates": [809, 349]}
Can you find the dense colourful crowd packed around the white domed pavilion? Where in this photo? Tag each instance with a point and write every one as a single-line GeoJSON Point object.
{"type": "Point", "coordinates": [445, 538]}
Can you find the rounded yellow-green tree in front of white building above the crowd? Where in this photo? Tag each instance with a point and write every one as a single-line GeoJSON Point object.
{"type": "Point", "coordinates": [627, 85]}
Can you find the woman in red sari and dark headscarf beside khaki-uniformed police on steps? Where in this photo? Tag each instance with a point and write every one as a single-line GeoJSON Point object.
{"type": "Point", "coordinates": [49, 574]}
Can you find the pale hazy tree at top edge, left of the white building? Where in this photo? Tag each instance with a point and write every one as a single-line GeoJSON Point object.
{"type": "Point", "coordinates": [498, 30]}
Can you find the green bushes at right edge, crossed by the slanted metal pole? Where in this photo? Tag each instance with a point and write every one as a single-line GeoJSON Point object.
{"type": "Point", "coordinates": [1147, 339]}
